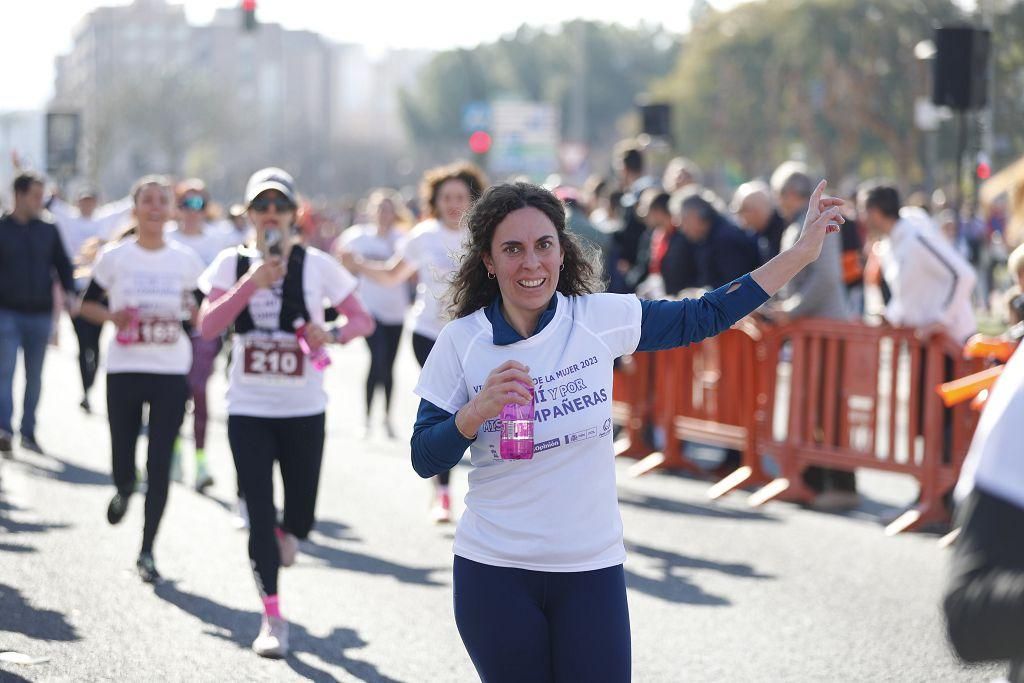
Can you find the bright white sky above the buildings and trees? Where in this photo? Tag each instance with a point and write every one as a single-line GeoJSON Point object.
{"type": "Point", "coordinates": [32, 34]}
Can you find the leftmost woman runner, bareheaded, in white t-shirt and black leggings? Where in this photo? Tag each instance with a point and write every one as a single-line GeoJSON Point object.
{"type": "Point", "coordinates": [145, 285]}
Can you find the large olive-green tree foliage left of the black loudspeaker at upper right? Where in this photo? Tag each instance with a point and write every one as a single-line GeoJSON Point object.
{"type": "Point", "coordinates": [837, 77]}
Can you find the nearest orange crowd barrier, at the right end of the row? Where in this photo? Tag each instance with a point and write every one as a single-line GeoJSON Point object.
{"type": "Point", "coordinates": [856, 397]}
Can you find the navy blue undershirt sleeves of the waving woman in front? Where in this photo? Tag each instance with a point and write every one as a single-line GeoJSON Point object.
{"type": "Point", "coordinates": [438, 446]}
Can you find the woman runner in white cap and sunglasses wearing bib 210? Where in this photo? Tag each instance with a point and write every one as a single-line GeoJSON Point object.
{"type": "Point", "coordinates": [276, 398]}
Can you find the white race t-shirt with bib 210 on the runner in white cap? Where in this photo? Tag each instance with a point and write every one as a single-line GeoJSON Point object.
{"type": "Point", "coordinates": [270, 377]}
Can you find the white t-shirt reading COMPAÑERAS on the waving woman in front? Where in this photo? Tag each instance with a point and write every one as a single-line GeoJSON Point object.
{"type": "Point", "coordinates": [560, 511]}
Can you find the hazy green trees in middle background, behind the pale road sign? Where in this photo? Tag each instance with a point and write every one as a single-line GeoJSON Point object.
{"type": "Point", "coordinates": [593, 67]}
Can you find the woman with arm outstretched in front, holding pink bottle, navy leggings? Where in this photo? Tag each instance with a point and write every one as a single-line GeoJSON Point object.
{"type": "Point", "coordinates": [540, 591]}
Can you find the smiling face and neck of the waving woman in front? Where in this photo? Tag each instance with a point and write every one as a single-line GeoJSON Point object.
{"type": "Point", "coordinates": [526, 257]}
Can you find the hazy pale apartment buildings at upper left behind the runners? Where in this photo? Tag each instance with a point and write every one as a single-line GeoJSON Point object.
{"type": "Point", "coordinates": [158, 95]}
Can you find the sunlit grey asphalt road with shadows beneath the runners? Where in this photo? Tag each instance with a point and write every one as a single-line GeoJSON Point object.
{"type": "Point", "coordinates": [718, 592]}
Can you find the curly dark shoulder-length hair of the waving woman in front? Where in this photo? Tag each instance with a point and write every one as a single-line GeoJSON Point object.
{"type": "Point", "coordinates": [472, 289]}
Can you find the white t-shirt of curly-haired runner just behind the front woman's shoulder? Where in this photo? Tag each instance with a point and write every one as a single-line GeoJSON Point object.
{"type": "Point", "coordinates": [435, 250]}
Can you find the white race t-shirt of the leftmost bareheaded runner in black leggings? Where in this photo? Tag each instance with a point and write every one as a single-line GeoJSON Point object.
{"type": "Point", "coordinates": [160, 284]}
